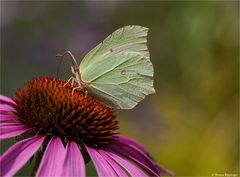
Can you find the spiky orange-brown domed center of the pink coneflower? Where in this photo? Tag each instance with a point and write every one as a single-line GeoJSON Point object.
{"type": "Point", "coordinates": [51, 108]}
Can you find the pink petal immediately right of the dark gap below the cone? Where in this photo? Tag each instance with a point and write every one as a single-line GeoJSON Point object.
{"type": "Point", "coordinates": [102, 166]}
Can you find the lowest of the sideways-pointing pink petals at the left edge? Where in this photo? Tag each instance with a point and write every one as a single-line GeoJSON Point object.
{"type": "Point", "coordinates": [8, 130]}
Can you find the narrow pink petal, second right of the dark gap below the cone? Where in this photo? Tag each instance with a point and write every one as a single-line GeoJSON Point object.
{"type": "Point", "coordinates": [114, 165]}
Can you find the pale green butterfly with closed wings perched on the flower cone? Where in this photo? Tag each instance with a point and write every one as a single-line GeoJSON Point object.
{"type": "Point", "coordinates": [118, 70]}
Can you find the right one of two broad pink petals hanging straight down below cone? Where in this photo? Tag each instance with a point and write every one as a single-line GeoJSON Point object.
{"type": "Point", "coordinates": [74, 163]}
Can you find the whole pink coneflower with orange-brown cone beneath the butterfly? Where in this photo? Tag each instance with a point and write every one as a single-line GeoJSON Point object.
{"type": "Point", "coordinates": [64, 131]}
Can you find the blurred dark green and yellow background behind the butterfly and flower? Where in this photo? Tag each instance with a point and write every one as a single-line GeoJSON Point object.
{"type": "Point", "coordinates": [191, 125]}
